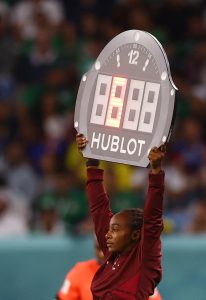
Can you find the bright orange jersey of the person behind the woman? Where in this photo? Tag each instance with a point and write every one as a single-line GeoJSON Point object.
{"type": "Point", "coordinates": [76, 285]}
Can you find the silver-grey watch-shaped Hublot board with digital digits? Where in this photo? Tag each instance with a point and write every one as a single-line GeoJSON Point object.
{"type": "Point", "coordinates": [125, 102]}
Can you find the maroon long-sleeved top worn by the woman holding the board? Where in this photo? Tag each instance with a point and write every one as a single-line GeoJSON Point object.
{"type": "Point", "coordinates": [133, 274]}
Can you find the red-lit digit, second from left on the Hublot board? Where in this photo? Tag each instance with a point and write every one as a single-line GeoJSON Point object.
{"type": "Point", "coordinates": [116, 101]}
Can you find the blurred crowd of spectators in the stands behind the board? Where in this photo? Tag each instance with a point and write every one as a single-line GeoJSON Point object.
{"type": "Point", "coordinates": [45, 48]}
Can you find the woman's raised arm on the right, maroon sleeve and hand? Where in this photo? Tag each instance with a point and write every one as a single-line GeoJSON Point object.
{"type": "Point", "coordinates": [153, 223]}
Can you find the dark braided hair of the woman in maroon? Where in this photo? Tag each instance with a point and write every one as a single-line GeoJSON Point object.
{"type": "Point", "coordinates": [134, 217]}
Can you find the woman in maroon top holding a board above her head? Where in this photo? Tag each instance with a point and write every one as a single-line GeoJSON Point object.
{"type": "Point", "coordinates": [130, 239]}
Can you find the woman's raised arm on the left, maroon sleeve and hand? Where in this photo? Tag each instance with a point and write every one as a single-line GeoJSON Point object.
{"type": "Point", "coordinates": [97, 196]}
